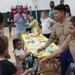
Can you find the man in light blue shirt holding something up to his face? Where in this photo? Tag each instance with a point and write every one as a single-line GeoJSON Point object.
{"type": "Point", "coordinates": [19, 19]}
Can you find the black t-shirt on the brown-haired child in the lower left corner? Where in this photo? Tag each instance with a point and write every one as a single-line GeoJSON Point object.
{"type": "Point", "coordinates": [7, 67]}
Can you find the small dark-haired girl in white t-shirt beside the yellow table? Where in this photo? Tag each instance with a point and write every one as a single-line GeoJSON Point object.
{"type": "Point", "coordinates": [19, 54]}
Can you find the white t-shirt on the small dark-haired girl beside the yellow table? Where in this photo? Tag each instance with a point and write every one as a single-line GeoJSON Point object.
{"type": "Point", "coordinates": [17, 53]}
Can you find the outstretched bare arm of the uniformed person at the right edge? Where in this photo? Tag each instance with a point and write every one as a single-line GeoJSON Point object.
{"type": "Point", "coordinates": [64, 47]}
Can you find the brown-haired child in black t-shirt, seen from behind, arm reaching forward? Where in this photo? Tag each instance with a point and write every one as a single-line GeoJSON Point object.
{"type": "Point", "coordinates": [7, 68]}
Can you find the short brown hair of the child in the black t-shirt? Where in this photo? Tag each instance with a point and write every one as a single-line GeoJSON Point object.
{"type": "Point", "coordinates": [3, 44]}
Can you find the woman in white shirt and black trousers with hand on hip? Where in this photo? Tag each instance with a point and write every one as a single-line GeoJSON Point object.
{"type": "Point", "coordinates": [46, 24]}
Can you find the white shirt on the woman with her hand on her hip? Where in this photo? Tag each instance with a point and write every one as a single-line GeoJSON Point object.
{"type": "Point", "coordinates": [46, 23]}
